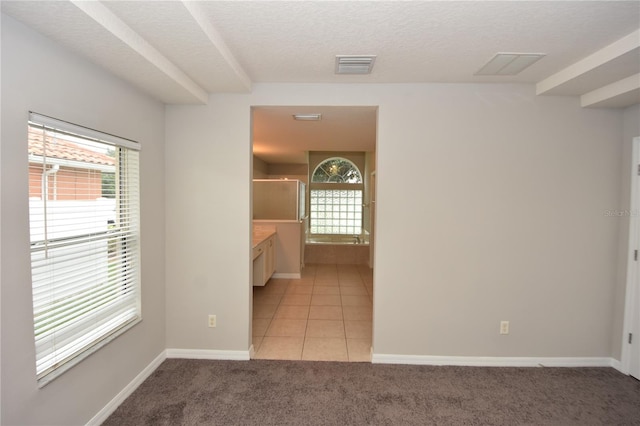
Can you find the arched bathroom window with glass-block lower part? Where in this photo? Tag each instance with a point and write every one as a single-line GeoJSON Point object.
{"type": "Point", "coordinates": [336, 198]}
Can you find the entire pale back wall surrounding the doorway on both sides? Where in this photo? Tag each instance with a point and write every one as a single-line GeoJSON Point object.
{"type": "Point", "coordinates": [490, 207]}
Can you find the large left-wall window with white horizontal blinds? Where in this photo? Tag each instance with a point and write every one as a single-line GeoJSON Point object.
{"type": "Point", "coordinates": [111, 292]}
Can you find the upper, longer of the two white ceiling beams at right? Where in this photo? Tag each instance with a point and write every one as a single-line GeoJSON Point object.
{"type": "Point", "coordinates": [590, 63]}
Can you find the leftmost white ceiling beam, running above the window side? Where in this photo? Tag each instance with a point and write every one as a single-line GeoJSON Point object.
{"type": "Point", "coordinates": [109, 21]}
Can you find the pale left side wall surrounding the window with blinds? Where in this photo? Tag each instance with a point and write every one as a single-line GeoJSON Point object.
{"type": "Point", "coordinates": [38, 75]}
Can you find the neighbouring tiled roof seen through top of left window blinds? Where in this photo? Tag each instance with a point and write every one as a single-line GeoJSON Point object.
{"type": "Point", "coordinates": [57, 147]}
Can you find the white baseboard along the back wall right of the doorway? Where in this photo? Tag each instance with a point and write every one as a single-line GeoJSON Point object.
{"type": "Point", "coordinates": [494, 361]}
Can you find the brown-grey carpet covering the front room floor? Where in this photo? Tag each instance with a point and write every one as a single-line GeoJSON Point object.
{"type": "Point", "coordinates": [260, 392]}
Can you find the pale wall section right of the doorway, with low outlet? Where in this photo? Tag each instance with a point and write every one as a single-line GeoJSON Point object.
{"type": "Point", "coordinates": [504, 220]}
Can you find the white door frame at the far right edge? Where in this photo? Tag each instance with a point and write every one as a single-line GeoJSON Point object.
{"type": "Point", "coordinates": [632, 264]}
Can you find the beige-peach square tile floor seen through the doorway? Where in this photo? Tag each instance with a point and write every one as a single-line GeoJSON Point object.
{"type": "Point", "coordinates": [324, 316]}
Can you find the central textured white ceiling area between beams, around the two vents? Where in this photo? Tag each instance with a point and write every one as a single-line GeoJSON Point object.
{"type": "Point", "coordinates": [414, 41]}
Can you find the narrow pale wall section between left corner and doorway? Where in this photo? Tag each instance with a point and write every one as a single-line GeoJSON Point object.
{"type": "Point", "coordinates": [208, 246]}
